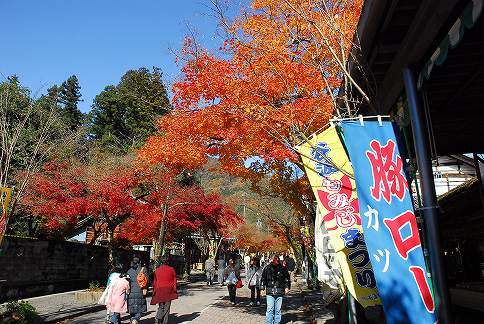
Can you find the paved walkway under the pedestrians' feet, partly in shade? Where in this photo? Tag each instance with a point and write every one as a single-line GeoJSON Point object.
{"type": "Point", "coordinates": [197, 303]}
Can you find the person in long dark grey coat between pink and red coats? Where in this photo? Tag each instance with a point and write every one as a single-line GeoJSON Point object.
{"type": "Point", "coordinates": [136, 298]}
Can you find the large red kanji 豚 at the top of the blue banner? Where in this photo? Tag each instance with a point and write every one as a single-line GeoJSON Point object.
{"type": "Point", "coordinates": [387, 171]}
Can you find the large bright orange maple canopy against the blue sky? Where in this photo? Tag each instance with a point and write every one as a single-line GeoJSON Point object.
{"type": "Point", "coordinates": [268, 82]}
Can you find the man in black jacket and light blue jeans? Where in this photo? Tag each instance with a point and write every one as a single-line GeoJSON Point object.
{"type": "Point", "coordinates": [275, 280]}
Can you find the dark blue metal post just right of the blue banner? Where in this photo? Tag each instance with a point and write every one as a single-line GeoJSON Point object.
{"type": "Point", "coordinates": [429, 199]}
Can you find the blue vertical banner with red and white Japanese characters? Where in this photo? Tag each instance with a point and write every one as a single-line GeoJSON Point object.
{"type": "Point", "coordinates": [389, 222]}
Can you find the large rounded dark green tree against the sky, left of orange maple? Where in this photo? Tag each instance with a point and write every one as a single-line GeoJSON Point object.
{"type": "Point", "coordinates": [125, 115]}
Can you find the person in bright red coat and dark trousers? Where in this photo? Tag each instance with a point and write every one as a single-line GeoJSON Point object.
{"type": "Point", "coordinates": [164, 290]}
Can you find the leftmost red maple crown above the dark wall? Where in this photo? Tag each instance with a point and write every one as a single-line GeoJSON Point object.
{"type": "Point", "coordinates": [65, 193]}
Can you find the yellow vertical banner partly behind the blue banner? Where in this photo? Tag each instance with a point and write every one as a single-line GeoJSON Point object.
{"type": "Point", "coordinates": [331, 177]}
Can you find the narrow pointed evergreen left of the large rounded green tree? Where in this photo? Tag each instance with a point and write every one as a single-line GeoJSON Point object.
{"type": "Point", "coordinates": [70, 96]}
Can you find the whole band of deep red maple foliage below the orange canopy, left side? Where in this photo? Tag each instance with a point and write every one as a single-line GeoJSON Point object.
{"type": "Point", "coordinates": [124, 200]}
